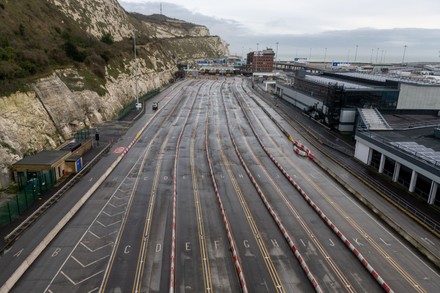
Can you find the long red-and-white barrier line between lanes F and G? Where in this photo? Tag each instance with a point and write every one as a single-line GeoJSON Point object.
{"type": "Point", "coordinates": [231, 240]}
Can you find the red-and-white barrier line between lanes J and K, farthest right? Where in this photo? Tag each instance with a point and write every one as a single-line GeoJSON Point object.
{"type": "Point", "coordinates": [332, 226]}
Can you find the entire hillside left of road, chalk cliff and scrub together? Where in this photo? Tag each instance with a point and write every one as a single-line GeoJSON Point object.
{"type": "Point", "coordinates": [79, 53]}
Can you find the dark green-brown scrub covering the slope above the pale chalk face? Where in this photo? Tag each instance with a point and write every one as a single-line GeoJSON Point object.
{"type": "Point", "coordinates": [36, 38]}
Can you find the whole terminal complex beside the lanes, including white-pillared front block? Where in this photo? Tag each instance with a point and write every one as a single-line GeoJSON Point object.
{"type": "Point", "coordinates": [395, 122]}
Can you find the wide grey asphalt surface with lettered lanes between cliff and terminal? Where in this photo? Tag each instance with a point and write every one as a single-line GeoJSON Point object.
{"type": "Point", "coordinates": [209, 196]}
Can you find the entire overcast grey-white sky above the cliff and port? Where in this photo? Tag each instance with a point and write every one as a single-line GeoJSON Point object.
{"type": "Point", "coordinates": [337, 30]}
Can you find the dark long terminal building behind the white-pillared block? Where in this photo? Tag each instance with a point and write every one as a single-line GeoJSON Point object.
{"type": "Point", "coordinates": [333, 97]}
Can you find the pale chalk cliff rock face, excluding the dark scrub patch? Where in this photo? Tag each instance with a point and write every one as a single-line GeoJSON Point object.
{"type": "Point", "coordinates": [54, 107]}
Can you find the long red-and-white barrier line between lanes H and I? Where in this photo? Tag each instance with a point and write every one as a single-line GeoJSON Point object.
{"type": "Point", "coordinates": [274, 215]}
